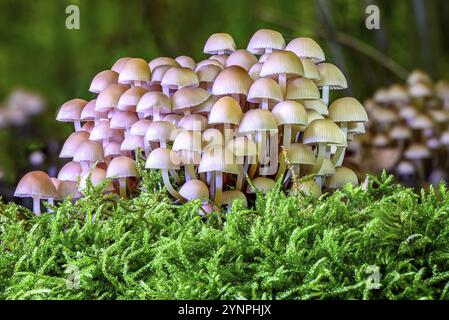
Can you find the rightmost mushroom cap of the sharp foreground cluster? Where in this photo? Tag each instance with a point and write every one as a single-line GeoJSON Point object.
{"type": "Point", "coordinates": [347, 109]}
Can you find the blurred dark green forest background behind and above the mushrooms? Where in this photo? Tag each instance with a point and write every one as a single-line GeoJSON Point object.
{"type": "Point", "coordinates": [38, 53]}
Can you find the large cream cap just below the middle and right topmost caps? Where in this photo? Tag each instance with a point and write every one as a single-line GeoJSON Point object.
{"type": "Point", "coordinates": [282, 62]}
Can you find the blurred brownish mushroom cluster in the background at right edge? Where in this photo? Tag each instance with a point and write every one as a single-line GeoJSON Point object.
{"type": "Point", "coordinates": [408, 133]}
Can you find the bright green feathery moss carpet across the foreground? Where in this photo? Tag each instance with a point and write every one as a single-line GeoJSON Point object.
{"type": "Point", "coordinates": [287, 247]}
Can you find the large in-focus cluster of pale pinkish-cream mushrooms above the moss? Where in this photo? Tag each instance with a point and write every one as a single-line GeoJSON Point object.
{"type": "Point", "coordinates": [208, 125]}
